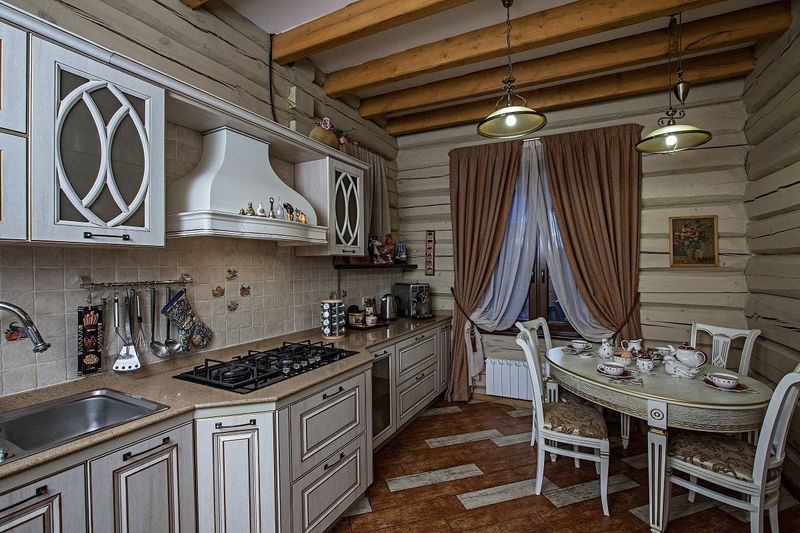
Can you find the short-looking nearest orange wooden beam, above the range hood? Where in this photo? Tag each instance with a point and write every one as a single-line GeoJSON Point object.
{"type": "Point", "coordinates": [353, 22]}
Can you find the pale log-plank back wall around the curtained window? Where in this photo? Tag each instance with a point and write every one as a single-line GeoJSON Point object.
{"type": "Point", "coordinates": [710, 180]}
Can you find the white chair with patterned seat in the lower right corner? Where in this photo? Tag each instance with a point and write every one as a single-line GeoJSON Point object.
{"type": "Point", "coordinates": [754, 472]}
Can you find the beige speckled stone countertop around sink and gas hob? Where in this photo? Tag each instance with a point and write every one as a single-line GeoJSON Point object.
{"type": "Point", "coordinates": [155, 382]}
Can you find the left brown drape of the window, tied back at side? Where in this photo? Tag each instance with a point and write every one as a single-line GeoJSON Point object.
{"type": "Point", "coordinates": [482, 181]}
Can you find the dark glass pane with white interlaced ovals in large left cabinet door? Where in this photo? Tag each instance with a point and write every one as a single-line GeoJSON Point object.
{"type": "Point", "coordinates": [102, 159]}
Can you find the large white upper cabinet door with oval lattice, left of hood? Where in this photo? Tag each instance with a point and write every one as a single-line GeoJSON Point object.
{"type": "Point", "coordinates": [98, 138]}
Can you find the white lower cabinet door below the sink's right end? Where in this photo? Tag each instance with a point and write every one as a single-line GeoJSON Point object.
{"type": "Point", "coordinates": [146, 487]}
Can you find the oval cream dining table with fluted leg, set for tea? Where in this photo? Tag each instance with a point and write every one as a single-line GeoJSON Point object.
{"type": "Point", "coordinates": [665, 402]}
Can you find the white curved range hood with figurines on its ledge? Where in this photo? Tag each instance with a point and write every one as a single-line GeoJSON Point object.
{"type": "Point", "coordinates": [234, 170]}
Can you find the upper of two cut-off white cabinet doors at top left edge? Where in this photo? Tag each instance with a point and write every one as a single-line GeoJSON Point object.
{"type": "Point", "coordinates": [13, 78]}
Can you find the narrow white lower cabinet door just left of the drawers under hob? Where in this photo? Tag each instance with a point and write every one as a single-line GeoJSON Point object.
{"type": "Point", "coordinates": [235, 465]}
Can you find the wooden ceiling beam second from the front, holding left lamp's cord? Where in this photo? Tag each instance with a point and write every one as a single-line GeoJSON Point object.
{"type": "Point", "coordinates": [551, 26]}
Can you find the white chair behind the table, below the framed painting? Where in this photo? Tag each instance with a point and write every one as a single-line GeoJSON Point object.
{"type": "Point", "coordinates": [721, 340]}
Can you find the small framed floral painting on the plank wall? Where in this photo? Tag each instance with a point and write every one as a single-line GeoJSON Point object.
{"type": "Point", "coordinates": [694, 242]}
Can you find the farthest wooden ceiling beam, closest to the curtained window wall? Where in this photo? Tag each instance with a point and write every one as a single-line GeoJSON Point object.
{"type": "Point", "coordinates": [703, 69]}
